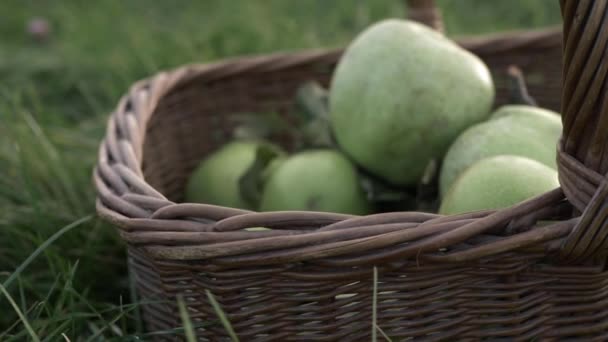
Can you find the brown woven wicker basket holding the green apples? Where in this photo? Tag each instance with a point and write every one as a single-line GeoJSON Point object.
{"type": "Point", "coordinates": [493, 275]}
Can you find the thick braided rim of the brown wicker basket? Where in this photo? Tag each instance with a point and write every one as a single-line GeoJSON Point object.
{"type": "Point", "coordinates": [178, 231]}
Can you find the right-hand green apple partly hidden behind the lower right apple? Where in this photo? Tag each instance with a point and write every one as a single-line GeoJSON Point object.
{"type": "Point", "coordinates": [514, 129]}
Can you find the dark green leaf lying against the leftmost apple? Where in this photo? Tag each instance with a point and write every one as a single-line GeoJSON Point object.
{"type": "Point", "coordinates": [252, 181]}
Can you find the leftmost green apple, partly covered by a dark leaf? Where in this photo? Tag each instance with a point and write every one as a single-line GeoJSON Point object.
{"type": "Point", "coordinates": [216, 180]}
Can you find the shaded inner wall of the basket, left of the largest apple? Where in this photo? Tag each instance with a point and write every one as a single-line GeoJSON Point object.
{"type": "Point", "coordinates": [200, 115]}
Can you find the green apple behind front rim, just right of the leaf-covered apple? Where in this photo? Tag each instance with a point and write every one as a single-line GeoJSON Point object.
{"type": "Point", "coordinates": [315, 180]}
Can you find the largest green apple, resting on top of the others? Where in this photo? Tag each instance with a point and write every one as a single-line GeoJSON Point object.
{"type": "Point", "coordinates": [401, 93]}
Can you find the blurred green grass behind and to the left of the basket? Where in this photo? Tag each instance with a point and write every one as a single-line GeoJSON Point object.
{"type": "Point", "coordinates": [54, 100]}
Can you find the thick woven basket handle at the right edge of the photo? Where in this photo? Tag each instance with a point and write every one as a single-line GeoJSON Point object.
{"type": "Point", "coordinates": [583, 147]}
